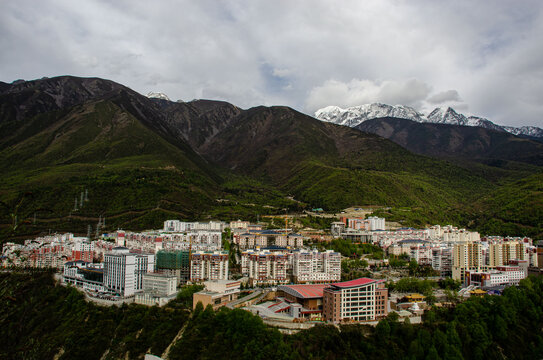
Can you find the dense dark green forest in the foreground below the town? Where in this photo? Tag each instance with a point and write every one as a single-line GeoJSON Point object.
{"type": "Point", "coordinates": [40, 319]}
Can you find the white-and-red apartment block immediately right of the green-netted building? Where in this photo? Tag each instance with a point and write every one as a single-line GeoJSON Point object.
{"type": "Point", "coordinates": [209, 265]}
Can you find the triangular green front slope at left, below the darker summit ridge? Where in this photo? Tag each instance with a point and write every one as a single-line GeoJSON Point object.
{"type": "Point", "coordinates": [126, 168]}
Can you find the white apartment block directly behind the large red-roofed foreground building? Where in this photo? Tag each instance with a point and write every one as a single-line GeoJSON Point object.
{"type": "Point", "coordinates": [315, 266]}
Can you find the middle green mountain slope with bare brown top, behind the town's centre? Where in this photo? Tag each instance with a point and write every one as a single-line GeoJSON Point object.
{"type": "Point", "coordinates": [334, 166]}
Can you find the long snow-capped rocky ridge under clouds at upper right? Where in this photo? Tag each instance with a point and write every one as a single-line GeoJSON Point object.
{"type": "Point", "coordinates": [355, 115]}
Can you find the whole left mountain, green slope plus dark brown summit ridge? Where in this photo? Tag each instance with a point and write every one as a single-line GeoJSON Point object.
{"type": "Point", "coordinates": [111, 142]}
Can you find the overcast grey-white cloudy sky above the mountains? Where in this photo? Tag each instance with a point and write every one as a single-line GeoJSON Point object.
{"type": "Point", "coordinates": [481, 57]}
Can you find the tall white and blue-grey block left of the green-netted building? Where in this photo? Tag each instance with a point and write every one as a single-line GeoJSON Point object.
{"type": "Point", "coordinates": [123, 270]}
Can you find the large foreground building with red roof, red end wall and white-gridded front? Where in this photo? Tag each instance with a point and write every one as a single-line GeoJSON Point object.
{"type": "Point", "coordinates": [357, 300]}
